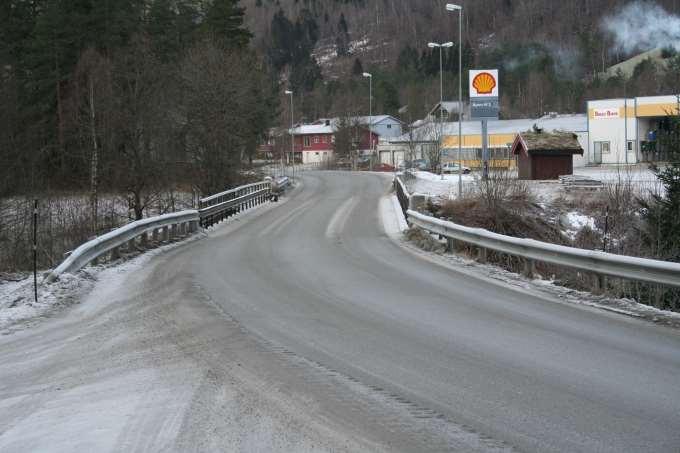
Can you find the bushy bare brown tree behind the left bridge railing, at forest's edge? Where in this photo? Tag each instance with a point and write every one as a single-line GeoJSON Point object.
{"type": "Point", "coordinates": [224, 111]}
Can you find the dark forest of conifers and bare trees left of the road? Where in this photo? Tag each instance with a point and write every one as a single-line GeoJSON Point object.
{"type": "Point", "coordinates": [128, 96]}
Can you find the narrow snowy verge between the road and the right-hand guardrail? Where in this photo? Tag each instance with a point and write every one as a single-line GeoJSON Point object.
{"type": "Point", "coordinates": [546, 289]}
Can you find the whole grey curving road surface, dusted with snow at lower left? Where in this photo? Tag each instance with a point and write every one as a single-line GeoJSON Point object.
{"type": "Point", "coordinates": [307, 329]}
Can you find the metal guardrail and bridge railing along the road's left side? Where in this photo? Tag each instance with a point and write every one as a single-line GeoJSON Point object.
{"type": "Point", "coordinates": [167, 227]}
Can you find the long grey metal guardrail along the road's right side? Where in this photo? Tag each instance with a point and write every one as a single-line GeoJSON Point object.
{"type": "Point", "coordinates": [628, 267]}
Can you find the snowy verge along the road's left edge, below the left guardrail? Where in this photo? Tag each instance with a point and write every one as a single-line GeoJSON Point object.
{"type": "Point", "coordinates": [18, 310]}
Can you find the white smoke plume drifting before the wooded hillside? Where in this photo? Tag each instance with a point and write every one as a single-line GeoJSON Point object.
{"type": "Point", "coordinates": [644, 26]}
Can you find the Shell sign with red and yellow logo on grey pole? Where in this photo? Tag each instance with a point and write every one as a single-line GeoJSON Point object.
{"type": "Point", "coordinates": [484, 106]}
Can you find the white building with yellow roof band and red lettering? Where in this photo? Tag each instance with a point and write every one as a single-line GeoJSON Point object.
{"type": "Point", "coordinates": [624, 131]}
